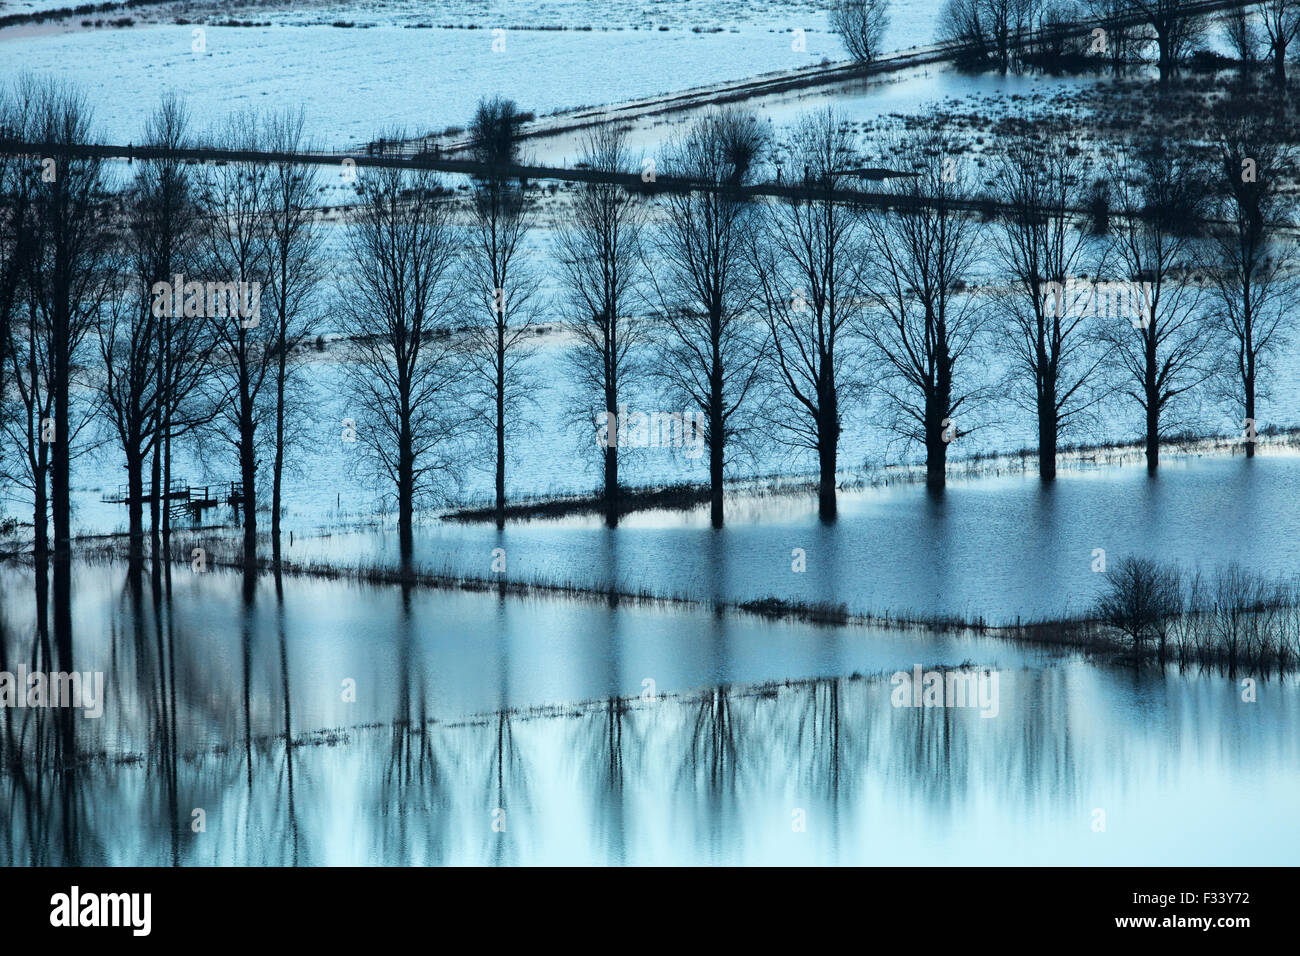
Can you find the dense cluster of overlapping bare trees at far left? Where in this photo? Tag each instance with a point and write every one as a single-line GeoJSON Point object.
{"type": "Point", "coordinates": [93, 344]}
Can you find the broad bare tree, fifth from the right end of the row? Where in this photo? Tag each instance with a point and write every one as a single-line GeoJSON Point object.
{"type": "Point", "coordinates": [805, 257]}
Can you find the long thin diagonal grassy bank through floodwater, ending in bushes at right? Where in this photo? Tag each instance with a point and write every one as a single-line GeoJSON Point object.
{"type": "Point", "coordinates": [1146, 612]}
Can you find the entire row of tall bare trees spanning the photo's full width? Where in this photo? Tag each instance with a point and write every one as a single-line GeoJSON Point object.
{"type": "Point", "coordinates": [770, 319]}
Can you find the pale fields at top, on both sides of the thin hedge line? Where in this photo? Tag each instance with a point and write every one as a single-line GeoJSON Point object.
{"type": "Point", "coordinates": [424, 68]}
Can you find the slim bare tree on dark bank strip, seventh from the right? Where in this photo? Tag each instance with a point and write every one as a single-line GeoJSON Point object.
{"type": "Point", "coordinates": [603, 267]}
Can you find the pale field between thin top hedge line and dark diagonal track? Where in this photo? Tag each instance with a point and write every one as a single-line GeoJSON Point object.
{"type": "Point", "coordinates": [354, 85]}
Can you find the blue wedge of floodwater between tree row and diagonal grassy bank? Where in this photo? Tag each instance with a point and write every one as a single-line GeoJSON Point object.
{"type": "Point", "coordinates": [994, 548]}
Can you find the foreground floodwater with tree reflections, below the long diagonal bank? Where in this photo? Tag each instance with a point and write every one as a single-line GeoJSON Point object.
{"type": "Point", "coordinates": [491, 730]}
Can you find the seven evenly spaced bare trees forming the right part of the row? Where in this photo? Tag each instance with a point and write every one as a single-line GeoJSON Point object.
{"type": "Point", "coordinates": [911, 304]}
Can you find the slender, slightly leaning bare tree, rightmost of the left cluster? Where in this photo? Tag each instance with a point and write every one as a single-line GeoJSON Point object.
{"type": "Point", "coordinates": [297, 266]}
